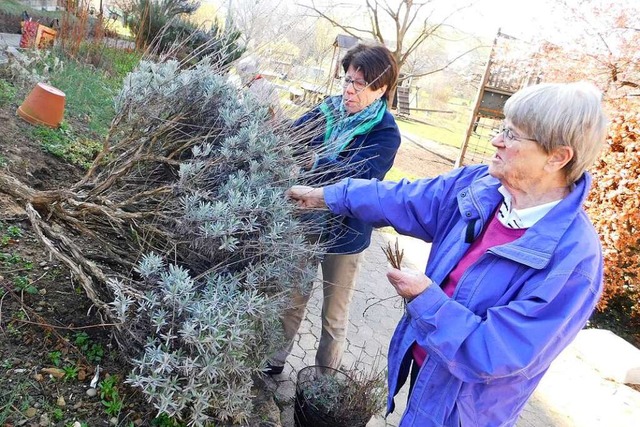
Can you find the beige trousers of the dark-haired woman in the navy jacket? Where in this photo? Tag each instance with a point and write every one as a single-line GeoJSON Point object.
{"type": "Point", "coordinates": [339, 274]}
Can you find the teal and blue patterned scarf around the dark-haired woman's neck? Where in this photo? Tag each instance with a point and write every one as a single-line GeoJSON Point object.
{"type": "Point", "coordinates": [341, 127]}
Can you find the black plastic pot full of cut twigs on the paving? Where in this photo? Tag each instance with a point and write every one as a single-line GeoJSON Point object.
{"type": "Point", "coordinates": [318, 399]}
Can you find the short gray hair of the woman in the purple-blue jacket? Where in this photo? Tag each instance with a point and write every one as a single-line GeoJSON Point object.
{"type": "Point", "coordinates": [562, 114]}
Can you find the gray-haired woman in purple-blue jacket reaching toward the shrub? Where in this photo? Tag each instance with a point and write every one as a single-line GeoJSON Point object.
{"type": "Point", "coordinates": [515, 268]}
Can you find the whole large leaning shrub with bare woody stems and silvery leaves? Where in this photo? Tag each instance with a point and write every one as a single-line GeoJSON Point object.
{"type": "Point", "coordinates": [181, 235]}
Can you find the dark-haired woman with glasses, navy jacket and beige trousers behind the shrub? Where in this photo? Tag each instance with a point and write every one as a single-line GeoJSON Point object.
{"type": "Point", "coordinates": [350, 135]}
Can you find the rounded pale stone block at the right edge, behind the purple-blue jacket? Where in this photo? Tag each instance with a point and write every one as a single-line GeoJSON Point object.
{"type": "Point", "coordinates": [613, 357]}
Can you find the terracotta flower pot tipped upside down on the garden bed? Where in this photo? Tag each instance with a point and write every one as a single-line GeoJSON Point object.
{"type": "Point", "coordinates": [43, 106]}
